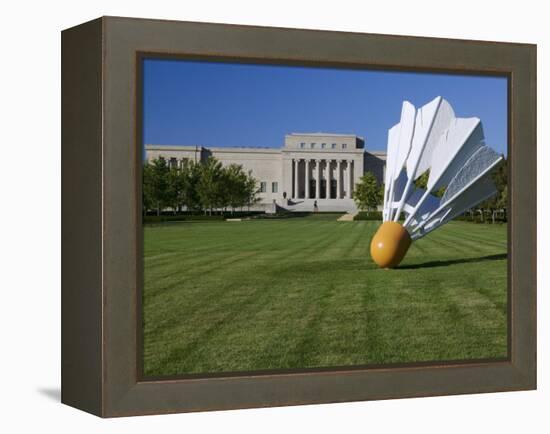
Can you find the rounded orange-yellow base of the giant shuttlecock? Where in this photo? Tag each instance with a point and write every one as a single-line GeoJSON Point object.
{"type": "Point", "coordinates": [390, 244]}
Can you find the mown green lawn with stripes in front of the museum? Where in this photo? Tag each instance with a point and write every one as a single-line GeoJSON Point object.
{"type": "Point", "coordinates": [303, 292]}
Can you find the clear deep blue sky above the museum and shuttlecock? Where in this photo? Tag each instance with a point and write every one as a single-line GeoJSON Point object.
{"type": "Point", "coordinates": [230, 104]}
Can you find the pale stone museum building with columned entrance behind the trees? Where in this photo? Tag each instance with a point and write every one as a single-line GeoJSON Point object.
{"type": "Point", "coordinates": [309, 168]}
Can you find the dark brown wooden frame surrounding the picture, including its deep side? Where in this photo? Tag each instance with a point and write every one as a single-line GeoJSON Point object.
{"type": "Point", "coordinates": [101, 226]}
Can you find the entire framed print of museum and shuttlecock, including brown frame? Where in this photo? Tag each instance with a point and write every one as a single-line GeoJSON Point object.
{"type": "Point", "coordinates": [261, 216]}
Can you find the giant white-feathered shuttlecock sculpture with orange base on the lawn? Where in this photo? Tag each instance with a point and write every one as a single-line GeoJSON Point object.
{"type": "Point", "coordinates": [453, 150]}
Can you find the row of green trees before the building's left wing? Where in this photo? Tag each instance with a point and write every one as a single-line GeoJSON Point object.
{"type": "Point", "coordinates": [197, 186]}
